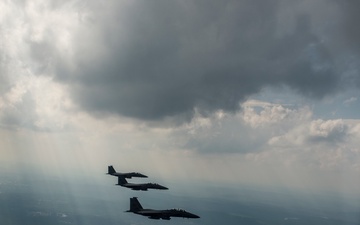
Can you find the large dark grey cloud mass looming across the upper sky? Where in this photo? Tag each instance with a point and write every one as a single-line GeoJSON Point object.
{"type": "Point", "coordinates": [156, 59]}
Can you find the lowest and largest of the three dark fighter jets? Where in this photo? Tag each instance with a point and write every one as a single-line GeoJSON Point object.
{"type": "Point", "coordinates": [135, 207]}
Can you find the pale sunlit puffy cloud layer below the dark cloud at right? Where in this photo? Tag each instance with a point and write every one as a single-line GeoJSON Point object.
{"type": "Point", "coordinates": [276, 136]}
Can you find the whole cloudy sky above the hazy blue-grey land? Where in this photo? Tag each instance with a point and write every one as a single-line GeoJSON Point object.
{"type": "Point", "coordinates": [234, 92]}
